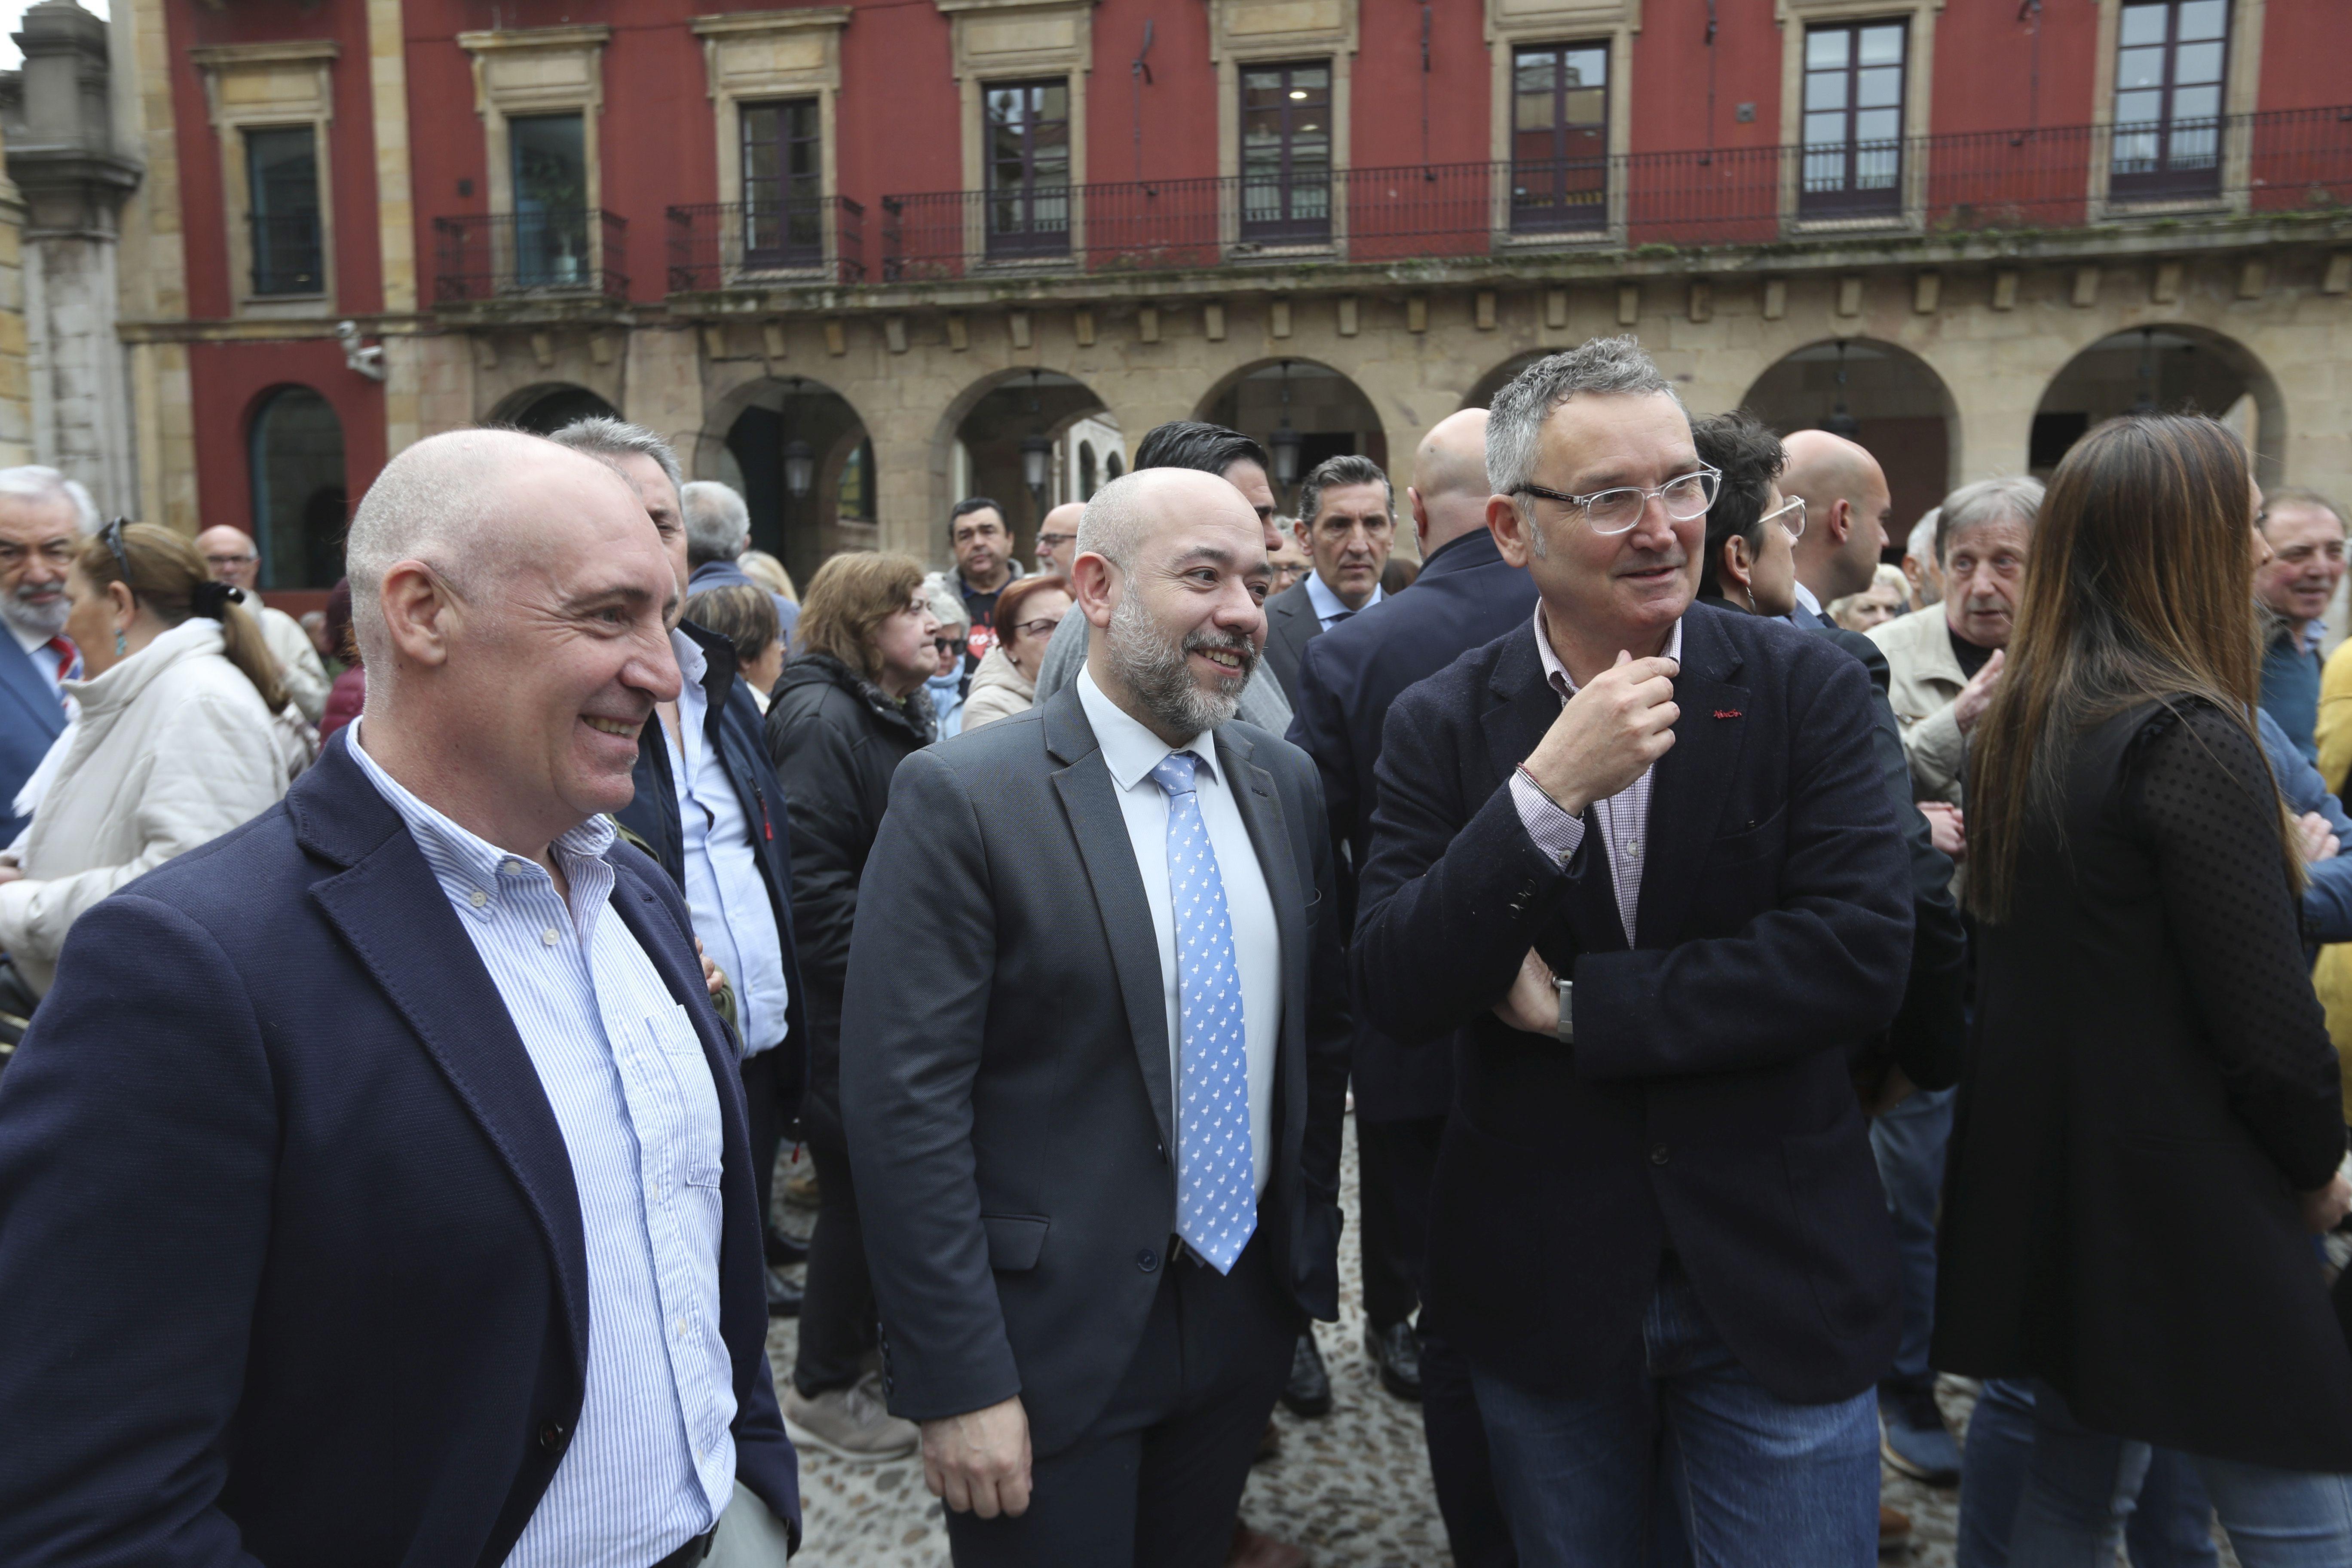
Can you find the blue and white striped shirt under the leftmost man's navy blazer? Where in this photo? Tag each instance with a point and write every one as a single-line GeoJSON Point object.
{"type": "Point", "coordinates": [653, 1459]}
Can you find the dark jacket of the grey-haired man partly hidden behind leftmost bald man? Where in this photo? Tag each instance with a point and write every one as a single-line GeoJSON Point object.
{"type": "Point", "coordinates": [733, 723]}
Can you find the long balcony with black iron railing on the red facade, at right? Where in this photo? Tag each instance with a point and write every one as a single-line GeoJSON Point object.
{"type": "Point", "coordinates": [1951, 185]}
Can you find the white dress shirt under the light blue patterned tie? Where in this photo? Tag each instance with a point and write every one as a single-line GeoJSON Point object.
{"type": "Point", "coordinates": [1132, 751]}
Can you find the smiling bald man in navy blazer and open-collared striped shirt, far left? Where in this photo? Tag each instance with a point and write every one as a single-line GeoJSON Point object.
{"type": "Point", "coordinates": [415, 1092]}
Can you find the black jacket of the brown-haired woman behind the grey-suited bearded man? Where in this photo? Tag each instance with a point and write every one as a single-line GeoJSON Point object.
{"type": "Point", "coordinates": [836, 744]}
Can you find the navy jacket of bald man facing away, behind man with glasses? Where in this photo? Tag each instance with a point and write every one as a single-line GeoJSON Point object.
{"type": "Point", "coordinates": [1464, 598]}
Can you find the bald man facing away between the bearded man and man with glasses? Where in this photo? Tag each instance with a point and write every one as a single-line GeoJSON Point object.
{"type": "Point", "coordinates": [1466, 598]}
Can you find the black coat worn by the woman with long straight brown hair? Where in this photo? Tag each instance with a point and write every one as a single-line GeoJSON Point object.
{"type": "Point", "coordinates": [2149, 1087]}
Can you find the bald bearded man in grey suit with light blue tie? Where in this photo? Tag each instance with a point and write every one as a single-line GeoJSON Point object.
{"type": "Point", "coordinates": [1102, 1033]}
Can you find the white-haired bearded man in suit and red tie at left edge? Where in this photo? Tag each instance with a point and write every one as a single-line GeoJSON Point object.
{"type": "Point", "coordinates": [44, 521]}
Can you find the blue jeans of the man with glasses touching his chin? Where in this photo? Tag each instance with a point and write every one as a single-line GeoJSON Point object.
{"type": "Point", "coordinates": [1756, 1482]}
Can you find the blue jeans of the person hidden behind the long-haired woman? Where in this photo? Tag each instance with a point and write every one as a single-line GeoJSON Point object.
{"type": "Point", "coordinates": [2172, 1522]}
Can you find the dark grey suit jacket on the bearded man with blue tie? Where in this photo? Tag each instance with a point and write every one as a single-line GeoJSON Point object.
{"type": "Point", "coordinates": [1005, 1066]}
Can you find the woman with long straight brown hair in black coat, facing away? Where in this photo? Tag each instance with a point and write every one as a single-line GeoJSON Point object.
{"type": "Point", "coordinates": [2149, 1130]}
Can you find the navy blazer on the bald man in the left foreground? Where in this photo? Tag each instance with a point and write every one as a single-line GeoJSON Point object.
{"type": "Point", "coordinates": [290, 1254]}
